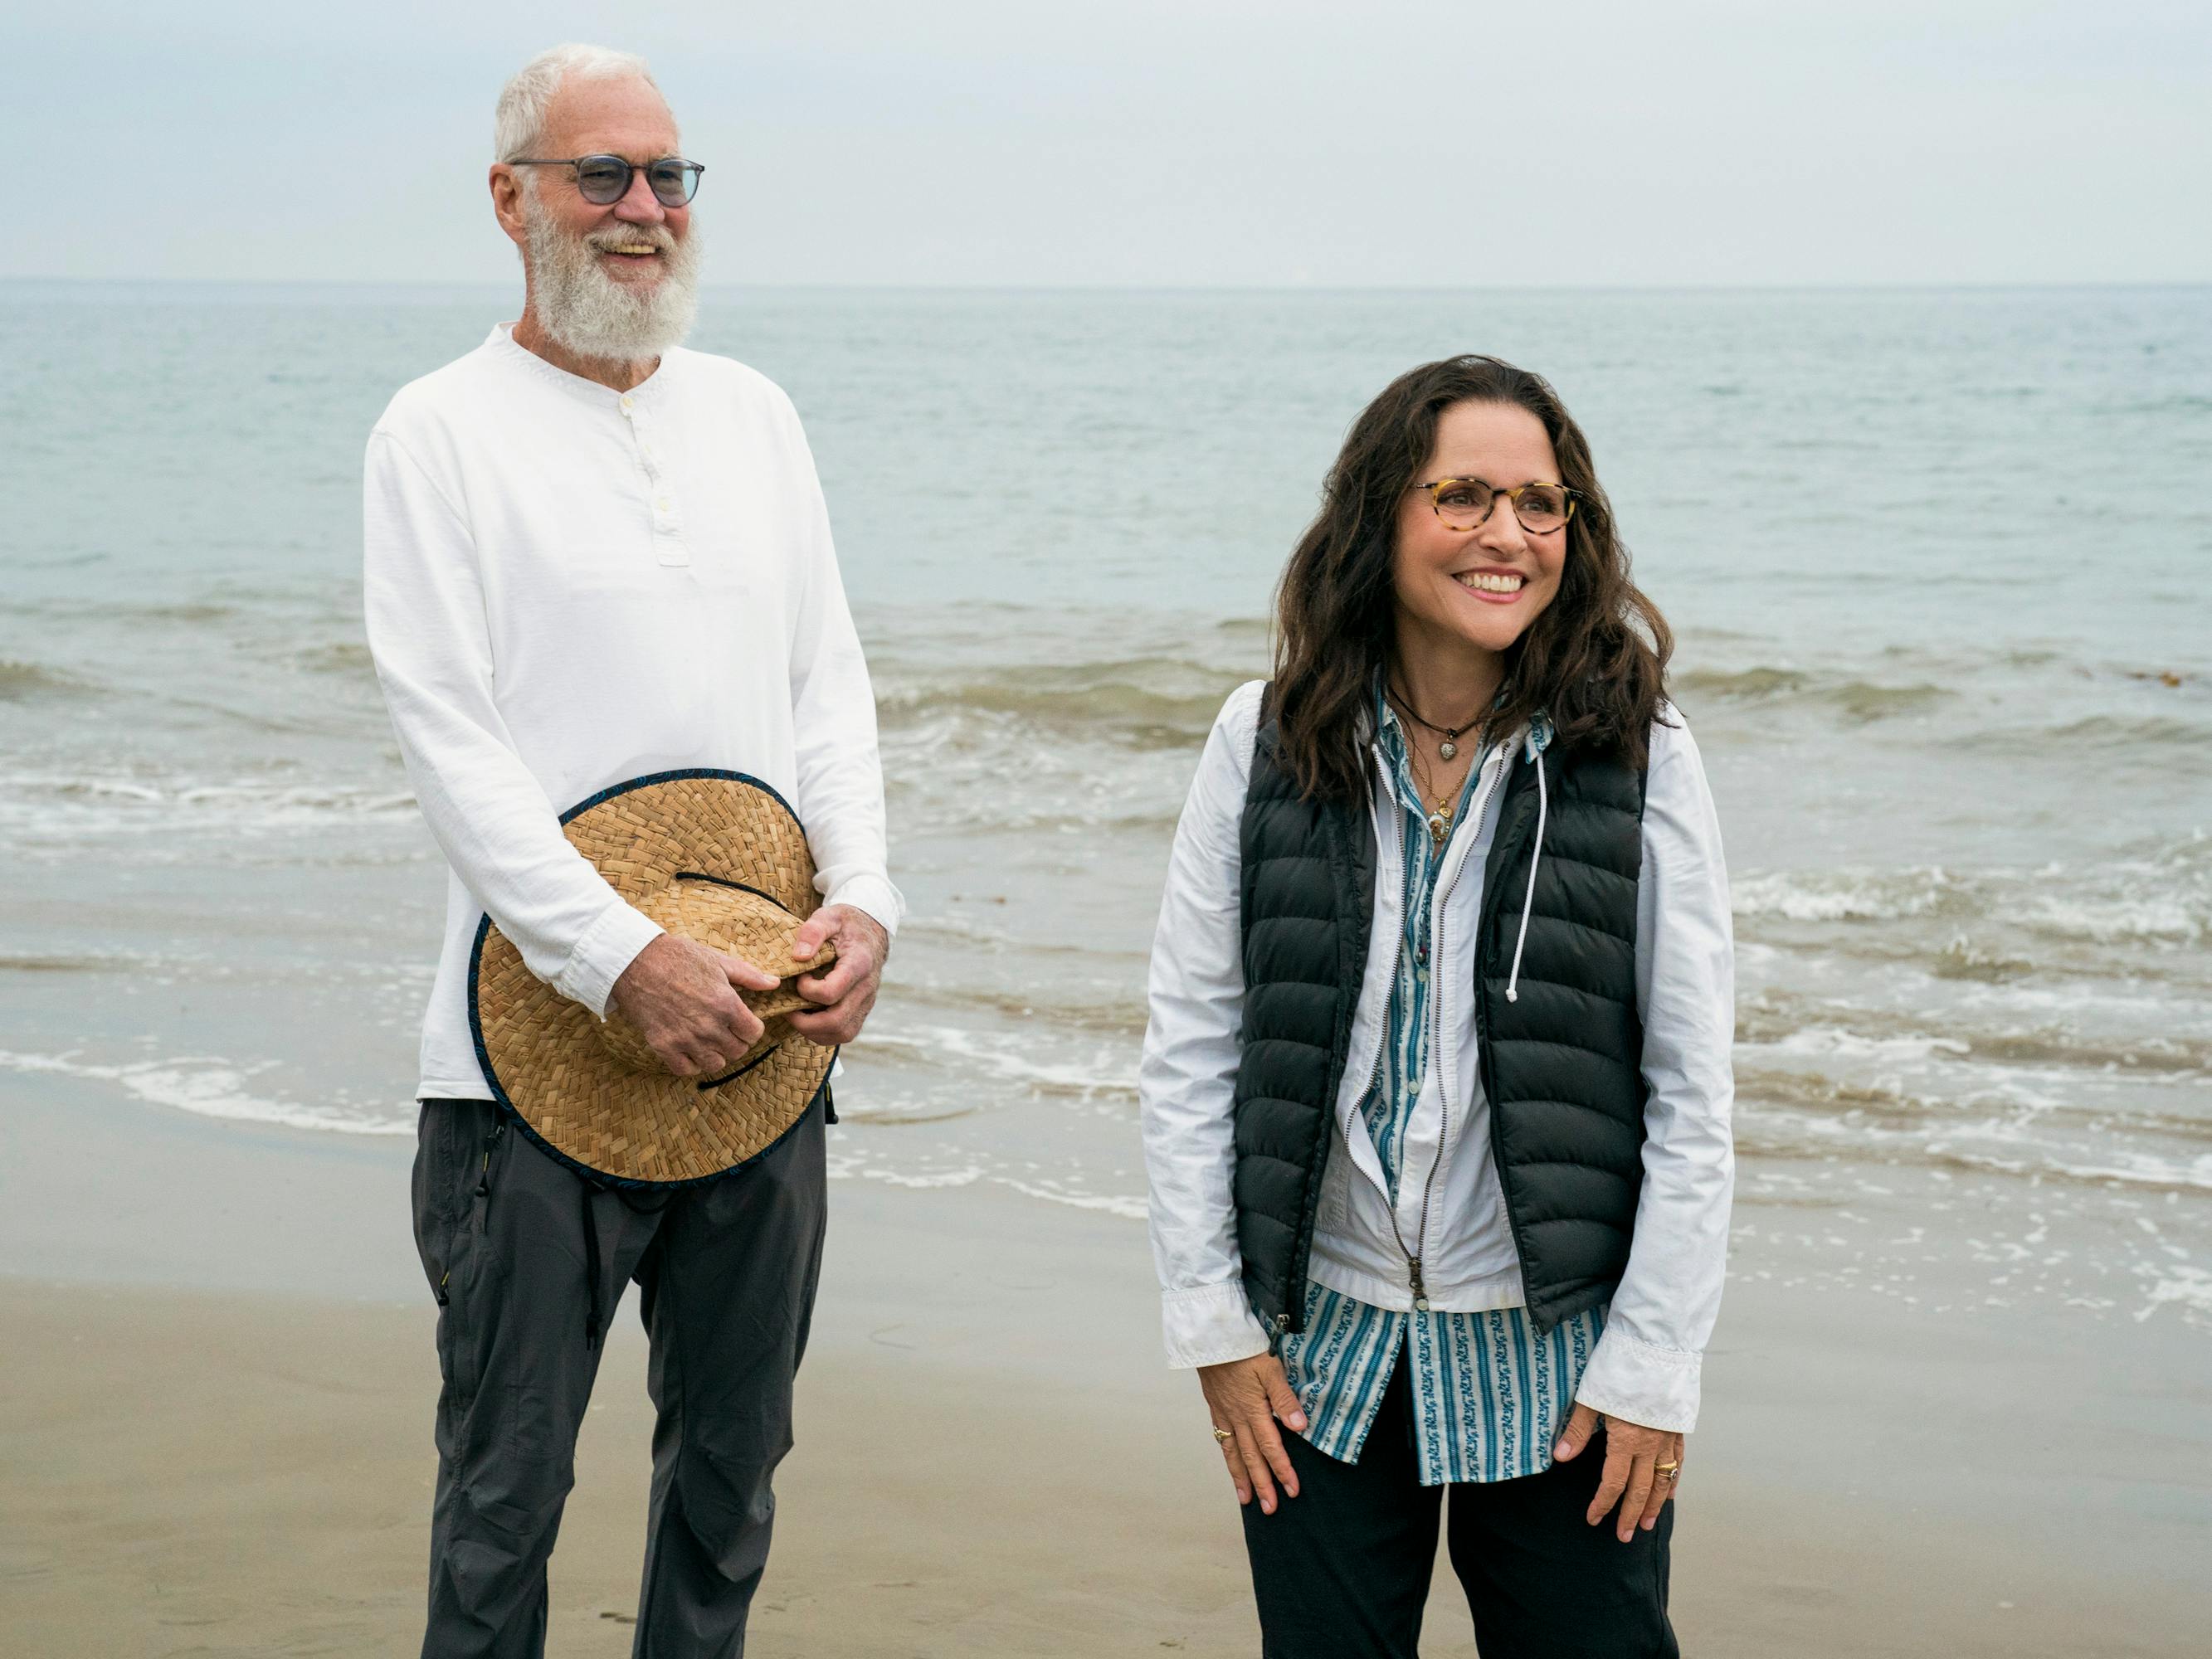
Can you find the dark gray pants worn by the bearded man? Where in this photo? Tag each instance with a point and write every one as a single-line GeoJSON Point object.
{"type": "Point", "coordinates": [727, 1273]}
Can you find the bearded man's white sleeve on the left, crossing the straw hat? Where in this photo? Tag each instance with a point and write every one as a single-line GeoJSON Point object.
{"type": "Point", "coordinates": [492, 820]}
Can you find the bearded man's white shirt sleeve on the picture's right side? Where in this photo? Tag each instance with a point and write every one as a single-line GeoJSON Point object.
{"type": "Point", "coordinates": [835, 722]}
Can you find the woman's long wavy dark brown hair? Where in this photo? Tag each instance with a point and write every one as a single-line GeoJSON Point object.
{"type": "Point", "coordinates": [1594, 662]}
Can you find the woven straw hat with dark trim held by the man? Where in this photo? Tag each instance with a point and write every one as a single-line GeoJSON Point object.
{"type": "Point", "coordinates": [720, 859]}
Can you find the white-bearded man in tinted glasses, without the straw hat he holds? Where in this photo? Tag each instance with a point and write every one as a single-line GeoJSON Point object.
{"type": "Point", "coordinates": [594, 556]}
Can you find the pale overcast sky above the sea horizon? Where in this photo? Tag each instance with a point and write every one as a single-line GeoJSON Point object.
{"type": "Point", "coordinates": [1191, 143]}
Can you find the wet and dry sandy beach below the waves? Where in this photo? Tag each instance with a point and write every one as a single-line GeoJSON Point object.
{"type": "Point", "coordinates": [220, 1390]}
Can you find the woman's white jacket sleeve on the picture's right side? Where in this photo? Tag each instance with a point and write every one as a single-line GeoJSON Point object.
{"type": "Point", "coordinates": [1649, 1359]}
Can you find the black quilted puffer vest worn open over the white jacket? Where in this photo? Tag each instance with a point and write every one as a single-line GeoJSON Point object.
{"type": "Point", "coordinates": [1561, 1063]}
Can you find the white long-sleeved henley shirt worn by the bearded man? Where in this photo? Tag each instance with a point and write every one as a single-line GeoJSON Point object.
{"type": "Point", "coordinates": [570, 587]}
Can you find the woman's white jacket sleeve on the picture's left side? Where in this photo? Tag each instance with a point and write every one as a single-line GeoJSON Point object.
{"type": "Point", "coordinates": [1189, 1072]}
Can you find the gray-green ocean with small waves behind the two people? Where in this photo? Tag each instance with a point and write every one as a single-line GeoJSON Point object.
{"type": "Point", "coordinates": [1939, 561]}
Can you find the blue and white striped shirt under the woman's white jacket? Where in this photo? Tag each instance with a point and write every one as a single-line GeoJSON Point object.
{"type": "Point", "coordinates": [1490, 1395]}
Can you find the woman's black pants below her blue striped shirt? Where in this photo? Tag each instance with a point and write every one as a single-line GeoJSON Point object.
{"type": "Point", "coordinates": [1342, 1569]}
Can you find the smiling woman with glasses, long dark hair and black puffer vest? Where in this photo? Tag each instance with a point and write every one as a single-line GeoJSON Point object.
{"type": "Point", "coordinates": [1437, 1083]}
